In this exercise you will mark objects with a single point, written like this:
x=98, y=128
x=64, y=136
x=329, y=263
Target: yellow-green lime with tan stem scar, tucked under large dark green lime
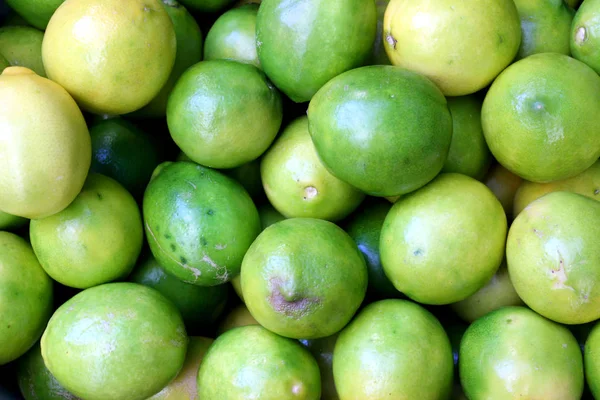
x=296, y=182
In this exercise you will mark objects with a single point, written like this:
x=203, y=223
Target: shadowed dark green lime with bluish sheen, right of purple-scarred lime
x=364, y=226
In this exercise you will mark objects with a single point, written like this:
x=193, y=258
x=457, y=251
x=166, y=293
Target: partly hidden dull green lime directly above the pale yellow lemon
x=22, y=46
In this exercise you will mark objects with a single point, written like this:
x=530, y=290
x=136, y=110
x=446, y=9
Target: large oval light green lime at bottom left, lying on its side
x=116, y=329
